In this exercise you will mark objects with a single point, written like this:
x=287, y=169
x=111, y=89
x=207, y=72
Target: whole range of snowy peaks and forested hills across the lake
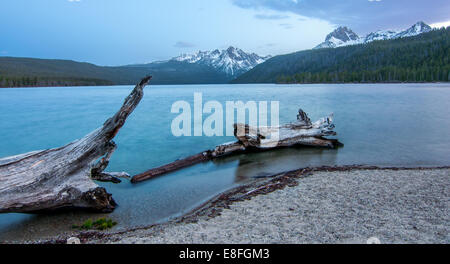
x=383, y=51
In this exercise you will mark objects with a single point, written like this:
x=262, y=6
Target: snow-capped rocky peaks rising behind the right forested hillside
x=344, y=36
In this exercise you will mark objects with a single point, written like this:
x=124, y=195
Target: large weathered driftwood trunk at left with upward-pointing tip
x=63, y=177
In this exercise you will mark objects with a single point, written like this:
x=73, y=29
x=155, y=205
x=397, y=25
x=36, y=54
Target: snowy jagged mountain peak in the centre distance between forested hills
x=232, y=61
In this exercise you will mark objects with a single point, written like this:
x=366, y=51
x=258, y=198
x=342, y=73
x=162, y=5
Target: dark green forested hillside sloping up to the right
x=423, y=58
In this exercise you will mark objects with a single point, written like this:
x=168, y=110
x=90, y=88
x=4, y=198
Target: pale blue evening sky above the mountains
x=118, y=32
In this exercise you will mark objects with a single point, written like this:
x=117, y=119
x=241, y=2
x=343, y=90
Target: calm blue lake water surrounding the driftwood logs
x=380, y=124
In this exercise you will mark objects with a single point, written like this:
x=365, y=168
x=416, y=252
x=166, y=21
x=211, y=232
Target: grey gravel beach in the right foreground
x=395, y=206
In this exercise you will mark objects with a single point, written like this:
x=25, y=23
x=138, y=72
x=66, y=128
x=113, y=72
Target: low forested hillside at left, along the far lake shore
x=28, y=72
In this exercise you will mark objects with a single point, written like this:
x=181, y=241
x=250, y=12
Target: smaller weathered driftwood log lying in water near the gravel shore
x=301, y=132
